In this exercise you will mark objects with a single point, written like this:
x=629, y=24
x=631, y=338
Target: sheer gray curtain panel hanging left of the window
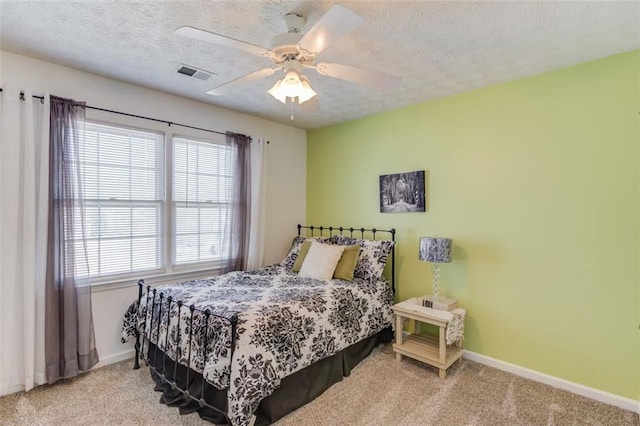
x=69, y=340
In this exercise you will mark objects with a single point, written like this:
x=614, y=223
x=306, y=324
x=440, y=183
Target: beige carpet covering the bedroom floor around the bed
x=379, y=391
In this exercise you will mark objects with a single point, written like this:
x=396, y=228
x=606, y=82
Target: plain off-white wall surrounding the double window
x=286, y=168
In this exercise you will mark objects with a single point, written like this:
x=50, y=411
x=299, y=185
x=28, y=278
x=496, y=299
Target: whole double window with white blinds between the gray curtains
x=153, y=210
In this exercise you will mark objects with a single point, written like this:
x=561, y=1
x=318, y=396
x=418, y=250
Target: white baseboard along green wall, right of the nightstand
x=598, y=395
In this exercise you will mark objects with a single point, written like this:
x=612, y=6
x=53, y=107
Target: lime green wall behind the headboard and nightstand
x=537, y=181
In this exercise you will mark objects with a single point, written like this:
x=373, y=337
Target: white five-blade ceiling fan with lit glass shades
x=293, y=51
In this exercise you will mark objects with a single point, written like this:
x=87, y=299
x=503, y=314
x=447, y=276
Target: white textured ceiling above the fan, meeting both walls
x=437, y=48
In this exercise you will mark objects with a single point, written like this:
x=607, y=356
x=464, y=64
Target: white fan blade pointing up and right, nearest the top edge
x=337, y=22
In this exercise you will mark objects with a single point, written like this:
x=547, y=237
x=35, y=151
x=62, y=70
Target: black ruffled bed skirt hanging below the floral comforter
x=295, y=390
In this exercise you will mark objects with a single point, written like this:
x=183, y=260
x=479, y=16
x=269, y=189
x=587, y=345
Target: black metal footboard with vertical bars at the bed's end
x=153, y=300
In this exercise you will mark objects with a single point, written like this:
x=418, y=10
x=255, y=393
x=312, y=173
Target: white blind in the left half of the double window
x=123, y=188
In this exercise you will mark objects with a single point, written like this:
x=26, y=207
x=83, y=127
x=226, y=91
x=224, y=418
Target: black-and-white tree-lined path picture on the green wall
x=403, y=192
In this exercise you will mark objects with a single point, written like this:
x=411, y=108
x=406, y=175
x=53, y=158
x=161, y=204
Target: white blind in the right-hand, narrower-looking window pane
x=202, y=185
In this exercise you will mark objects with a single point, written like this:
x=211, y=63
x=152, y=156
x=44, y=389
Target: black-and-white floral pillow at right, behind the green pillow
x=373, y=256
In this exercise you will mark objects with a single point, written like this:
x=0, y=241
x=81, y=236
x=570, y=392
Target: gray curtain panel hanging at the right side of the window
x=240, y=216
